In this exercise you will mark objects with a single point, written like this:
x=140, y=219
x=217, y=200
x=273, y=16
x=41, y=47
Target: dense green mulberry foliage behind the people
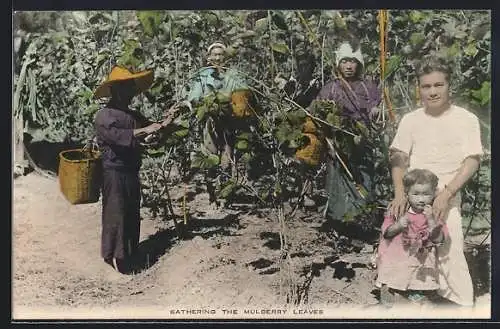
x=66, y=54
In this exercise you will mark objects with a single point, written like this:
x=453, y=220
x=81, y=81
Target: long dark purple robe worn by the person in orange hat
x=121, y=159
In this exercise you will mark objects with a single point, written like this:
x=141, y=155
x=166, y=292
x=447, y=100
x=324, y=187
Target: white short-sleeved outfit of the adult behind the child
x=441, y=144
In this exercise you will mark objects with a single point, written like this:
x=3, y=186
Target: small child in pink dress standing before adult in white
x=407, y=262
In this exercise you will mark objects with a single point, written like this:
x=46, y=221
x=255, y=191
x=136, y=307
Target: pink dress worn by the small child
x=408, y=260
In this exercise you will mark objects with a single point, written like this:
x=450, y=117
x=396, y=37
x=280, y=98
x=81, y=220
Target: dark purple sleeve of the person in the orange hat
x=106, y=129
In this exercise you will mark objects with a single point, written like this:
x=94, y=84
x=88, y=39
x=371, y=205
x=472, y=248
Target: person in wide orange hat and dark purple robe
x=119, y=131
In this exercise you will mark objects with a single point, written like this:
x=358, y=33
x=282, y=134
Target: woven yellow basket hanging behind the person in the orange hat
x=80, y=175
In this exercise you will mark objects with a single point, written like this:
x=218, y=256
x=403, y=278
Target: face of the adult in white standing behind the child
x=434, y=91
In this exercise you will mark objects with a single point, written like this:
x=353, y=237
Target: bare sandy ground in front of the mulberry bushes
x=229, y=261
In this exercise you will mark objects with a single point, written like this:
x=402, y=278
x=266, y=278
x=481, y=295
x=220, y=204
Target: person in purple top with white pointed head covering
x=357, y=99
